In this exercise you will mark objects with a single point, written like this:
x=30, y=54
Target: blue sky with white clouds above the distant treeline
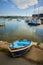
x=20, y=7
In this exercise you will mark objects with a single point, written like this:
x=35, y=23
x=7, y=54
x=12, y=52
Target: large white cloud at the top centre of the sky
x=23, y=4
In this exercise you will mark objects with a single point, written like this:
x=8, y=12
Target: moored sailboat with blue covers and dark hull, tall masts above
x=35, y=21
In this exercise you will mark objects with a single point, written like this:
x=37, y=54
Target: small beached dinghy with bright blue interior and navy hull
x=19, y=47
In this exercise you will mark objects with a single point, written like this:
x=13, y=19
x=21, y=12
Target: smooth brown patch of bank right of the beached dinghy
x=35, y=54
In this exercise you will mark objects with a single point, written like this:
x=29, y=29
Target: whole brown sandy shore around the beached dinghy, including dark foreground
x=35, y=54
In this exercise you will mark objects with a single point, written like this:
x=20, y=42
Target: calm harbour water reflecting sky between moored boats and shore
x=14, y=29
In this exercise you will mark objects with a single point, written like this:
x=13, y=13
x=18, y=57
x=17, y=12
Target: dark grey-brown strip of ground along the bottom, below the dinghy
x=6, y=60
